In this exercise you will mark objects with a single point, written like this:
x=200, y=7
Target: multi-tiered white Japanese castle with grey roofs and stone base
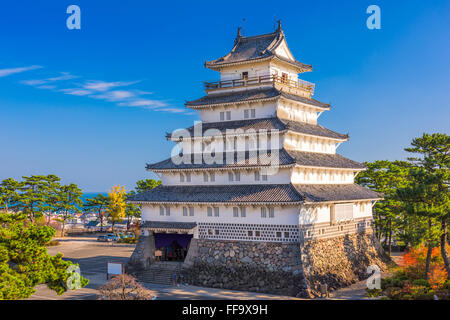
x=255, y=196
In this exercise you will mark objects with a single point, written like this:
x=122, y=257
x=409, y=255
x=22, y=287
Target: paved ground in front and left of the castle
x=92, y=257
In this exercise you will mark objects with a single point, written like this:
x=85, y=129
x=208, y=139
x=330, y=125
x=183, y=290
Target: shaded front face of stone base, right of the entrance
x=244, y=265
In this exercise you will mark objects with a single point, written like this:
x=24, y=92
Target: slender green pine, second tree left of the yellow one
x=68, y=202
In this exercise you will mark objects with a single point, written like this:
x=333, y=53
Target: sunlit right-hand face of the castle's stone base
x=340, y=261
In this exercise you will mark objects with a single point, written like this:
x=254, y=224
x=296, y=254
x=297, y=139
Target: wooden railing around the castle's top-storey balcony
x=252, y=81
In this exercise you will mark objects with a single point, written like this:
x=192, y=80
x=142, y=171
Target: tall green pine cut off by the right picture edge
x=433, y=152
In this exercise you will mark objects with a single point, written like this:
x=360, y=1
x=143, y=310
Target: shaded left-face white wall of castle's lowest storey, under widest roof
x=283, y=215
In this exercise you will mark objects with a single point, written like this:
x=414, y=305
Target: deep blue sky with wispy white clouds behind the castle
x=93, y=105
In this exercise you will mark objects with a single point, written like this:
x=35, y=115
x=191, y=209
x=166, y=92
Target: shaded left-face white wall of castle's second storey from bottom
x=221, y=178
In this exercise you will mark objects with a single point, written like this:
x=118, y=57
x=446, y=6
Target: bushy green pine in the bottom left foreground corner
x=25, y=262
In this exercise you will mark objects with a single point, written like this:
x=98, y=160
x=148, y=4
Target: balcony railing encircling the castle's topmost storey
x=302, y=87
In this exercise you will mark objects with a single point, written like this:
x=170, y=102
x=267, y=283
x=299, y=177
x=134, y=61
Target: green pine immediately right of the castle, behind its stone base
x=385, y=177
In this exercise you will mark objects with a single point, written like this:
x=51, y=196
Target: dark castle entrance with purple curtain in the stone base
x=171, y=246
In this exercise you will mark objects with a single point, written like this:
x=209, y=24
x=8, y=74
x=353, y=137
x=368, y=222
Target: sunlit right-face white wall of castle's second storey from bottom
x=302, y=175
